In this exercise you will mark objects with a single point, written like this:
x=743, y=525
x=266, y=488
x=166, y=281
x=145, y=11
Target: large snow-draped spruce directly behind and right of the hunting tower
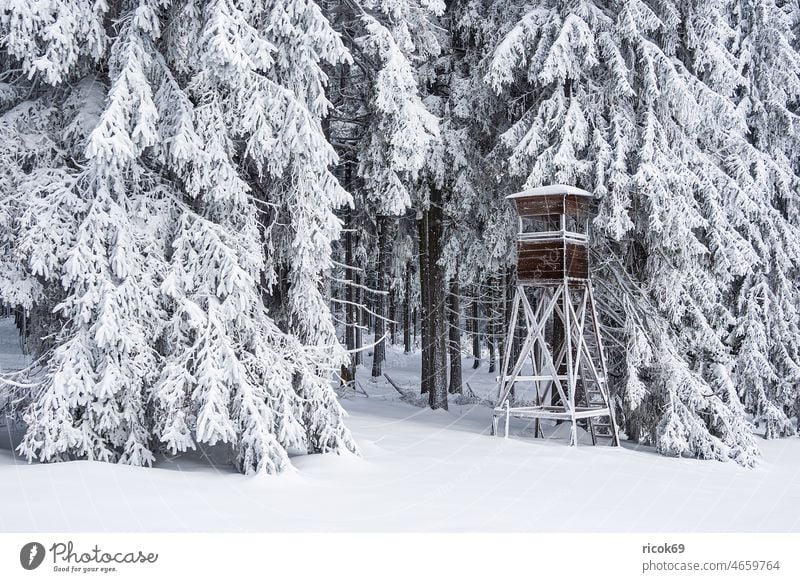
x=613, y=99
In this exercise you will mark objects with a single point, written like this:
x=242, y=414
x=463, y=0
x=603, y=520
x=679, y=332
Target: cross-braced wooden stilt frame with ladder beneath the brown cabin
x=572, y=386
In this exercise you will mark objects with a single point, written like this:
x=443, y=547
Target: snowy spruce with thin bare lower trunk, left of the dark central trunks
x=385, y=121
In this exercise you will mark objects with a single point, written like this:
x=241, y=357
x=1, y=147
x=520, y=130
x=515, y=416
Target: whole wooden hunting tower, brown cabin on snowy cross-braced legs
x=562, y=345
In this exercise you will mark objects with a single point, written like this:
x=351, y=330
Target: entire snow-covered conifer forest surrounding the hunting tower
x=221, y=221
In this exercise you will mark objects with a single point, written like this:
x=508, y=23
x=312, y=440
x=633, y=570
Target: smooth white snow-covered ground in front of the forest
x=420, y=470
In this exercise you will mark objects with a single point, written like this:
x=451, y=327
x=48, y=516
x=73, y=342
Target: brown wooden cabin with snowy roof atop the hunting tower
x=553, y=233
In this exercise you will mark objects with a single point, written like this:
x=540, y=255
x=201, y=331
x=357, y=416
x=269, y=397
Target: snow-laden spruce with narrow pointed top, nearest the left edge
x=92, y=401
